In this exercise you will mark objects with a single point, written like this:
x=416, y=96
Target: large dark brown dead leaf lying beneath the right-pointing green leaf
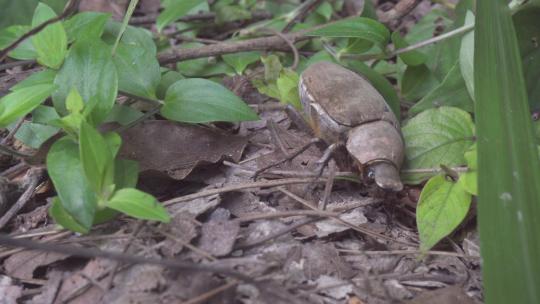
x=176, y=149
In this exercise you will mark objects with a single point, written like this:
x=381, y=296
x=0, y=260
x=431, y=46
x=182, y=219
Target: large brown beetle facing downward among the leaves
x=342, y=107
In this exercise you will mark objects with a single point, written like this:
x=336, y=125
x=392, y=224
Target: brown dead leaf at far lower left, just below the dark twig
x=22, y=265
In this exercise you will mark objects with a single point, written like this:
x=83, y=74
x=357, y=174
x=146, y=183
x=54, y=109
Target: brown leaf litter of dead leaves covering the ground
x=313, y=259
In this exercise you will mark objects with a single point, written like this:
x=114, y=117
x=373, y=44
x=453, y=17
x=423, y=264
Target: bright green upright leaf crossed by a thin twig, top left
x=51, y=43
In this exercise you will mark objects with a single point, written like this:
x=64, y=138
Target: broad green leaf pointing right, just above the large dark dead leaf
x=199, y=100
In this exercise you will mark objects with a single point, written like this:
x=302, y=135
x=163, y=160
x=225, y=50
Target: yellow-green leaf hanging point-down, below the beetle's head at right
x=442, y=207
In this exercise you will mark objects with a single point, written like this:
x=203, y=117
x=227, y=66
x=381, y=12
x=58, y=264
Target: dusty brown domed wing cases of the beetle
x=347, y=97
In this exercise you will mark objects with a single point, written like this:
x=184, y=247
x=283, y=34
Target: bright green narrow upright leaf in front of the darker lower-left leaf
x=96, y=159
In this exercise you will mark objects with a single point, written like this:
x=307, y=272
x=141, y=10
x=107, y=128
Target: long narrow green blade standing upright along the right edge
x=508, y=164
